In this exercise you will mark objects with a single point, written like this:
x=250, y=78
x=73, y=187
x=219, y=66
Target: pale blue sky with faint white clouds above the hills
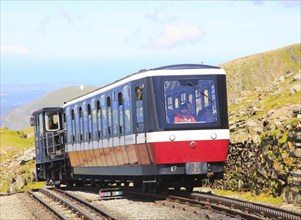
x=98, y=42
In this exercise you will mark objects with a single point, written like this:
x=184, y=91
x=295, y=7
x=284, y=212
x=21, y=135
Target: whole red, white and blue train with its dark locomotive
x=125, y=132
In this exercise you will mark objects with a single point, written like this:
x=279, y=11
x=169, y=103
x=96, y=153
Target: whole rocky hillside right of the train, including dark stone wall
x=265, y=124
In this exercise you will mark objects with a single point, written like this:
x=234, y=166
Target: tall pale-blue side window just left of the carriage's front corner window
x=127, y=110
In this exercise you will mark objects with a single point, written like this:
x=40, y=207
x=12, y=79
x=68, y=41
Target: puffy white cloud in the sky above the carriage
x=176, y=34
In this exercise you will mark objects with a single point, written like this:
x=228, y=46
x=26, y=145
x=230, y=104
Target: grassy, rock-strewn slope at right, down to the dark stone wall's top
x=262, y=88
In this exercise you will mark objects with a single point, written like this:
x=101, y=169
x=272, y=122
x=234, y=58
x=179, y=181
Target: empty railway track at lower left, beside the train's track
x=67, y=206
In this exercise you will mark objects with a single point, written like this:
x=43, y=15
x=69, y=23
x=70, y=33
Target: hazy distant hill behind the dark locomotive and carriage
x=19, y=118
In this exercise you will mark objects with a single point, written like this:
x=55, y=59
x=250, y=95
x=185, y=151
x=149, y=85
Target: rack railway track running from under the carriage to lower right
x=229, y=207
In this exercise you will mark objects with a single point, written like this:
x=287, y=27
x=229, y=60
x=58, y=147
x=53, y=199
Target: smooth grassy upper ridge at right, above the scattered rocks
x=262, y=70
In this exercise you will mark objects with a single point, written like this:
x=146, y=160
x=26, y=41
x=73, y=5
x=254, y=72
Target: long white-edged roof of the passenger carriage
x=152, y=72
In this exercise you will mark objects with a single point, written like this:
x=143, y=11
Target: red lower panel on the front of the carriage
x=189, y=151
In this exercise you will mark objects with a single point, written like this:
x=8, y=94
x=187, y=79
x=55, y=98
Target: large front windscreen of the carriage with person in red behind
x=190, y=101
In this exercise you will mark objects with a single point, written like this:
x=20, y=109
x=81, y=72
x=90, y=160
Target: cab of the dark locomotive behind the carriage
x=49, y=133
